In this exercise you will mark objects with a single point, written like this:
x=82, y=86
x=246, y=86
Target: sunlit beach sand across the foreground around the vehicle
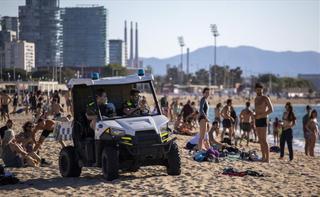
x=301, y=177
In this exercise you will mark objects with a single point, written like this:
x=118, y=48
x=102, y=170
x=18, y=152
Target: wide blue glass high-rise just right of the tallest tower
x=84, y=36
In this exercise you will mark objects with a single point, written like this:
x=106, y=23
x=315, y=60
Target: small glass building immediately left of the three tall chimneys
x=117, y=52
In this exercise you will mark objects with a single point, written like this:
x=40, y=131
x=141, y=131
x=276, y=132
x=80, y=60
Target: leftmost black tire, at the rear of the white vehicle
x=69, y=162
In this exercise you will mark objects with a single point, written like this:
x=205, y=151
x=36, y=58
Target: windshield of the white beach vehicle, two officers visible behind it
x=126, y=100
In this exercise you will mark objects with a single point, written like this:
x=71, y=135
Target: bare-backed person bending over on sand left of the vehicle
x=47, y=127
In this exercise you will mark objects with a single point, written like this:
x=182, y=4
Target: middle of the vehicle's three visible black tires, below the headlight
x=110, y=163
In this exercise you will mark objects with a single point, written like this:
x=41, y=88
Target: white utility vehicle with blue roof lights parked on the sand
x=118, y=142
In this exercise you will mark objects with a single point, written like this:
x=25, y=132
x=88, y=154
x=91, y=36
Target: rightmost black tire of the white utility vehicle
x=174, y=160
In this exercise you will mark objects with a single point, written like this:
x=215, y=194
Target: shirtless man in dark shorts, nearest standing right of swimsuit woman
x=227, y=119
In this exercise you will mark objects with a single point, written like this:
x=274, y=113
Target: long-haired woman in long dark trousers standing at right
x=289, y=121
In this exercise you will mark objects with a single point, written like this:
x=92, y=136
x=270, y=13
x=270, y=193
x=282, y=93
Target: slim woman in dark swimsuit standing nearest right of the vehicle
x=203, y=117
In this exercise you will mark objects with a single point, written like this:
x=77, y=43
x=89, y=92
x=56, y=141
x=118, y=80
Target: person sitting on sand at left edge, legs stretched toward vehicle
x=13, y=154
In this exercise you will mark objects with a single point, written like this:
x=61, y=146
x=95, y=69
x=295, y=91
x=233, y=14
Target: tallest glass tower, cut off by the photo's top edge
x=40, y=23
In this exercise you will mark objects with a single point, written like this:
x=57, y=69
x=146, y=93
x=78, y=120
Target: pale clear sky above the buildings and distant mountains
x=277, y=25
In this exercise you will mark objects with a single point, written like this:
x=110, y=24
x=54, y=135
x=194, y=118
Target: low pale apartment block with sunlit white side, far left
x=19, y=54
